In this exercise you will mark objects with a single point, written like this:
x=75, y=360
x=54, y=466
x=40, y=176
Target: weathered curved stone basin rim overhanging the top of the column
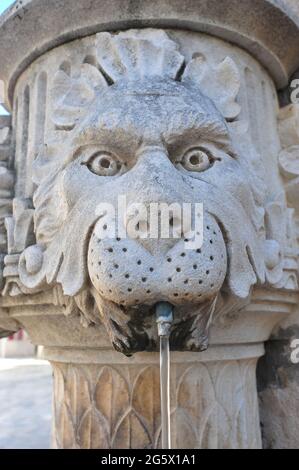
x=268, y=29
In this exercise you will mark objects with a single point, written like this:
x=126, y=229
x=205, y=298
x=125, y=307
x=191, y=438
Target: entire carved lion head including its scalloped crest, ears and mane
x=141, y=121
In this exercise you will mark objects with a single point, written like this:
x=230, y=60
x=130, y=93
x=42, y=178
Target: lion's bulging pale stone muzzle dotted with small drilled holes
x=126, y=273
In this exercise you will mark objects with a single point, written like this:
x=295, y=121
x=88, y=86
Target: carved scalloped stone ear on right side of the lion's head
x=221, y=83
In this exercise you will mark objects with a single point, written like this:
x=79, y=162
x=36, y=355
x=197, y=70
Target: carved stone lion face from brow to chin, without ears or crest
x=152, y=140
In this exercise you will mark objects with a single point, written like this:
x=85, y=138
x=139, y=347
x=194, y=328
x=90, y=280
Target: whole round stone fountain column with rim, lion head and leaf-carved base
x=180, y=109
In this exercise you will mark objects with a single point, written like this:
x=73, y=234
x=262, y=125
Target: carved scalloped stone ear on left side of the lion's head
x=71, y=96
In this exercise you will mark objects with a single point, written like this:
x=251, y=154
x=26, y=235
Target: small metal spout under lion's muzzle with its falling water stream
x=164, y=318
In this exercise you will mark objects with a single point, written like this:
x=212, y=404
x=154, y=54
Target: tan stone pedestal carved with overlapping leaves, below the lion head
x=213, y=399
